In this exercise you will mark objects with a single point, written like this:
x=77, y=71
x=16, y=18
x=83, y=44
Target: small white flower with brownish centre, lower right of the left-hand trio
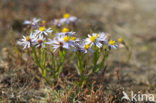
x=40, y=41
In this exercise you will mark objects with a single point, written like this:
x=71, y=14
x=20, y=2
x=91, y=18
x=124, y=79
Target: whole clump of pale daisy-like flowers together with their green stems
x=42, y=36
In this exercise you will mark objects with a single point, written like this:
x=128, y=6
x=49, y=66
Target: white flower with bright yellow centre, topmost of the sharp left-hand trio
x=43, y=31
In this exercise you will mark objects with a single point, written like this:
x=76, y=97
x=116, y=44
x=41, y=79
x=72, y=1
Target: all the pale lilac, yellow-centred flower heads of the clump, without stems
x=65, y=39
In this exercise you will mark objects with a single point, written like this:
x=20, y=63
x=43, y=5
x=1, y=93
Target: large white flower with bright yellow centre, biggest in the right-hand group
x=94, y=40
